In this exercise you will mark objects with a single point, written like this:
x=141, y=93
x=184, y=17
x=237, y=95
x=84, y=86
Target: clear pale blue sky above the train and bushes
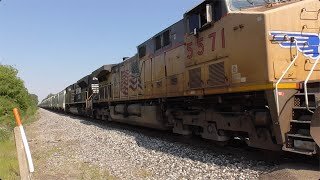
x=54, y=43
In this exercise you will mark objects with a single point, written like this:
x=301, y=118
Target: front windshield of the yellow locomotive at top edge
x=243, y=4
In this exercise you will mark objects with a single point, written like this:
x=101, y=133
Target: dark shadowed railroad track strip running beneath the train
x=234, y=147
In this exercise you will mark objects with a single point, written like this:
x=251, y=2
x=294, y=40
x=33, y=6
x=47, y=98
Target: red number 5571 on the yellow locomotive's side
x=198, y=46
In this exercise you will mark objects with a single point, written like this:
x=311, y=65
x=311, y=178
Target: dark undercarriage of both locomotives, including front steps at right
x=251, y=117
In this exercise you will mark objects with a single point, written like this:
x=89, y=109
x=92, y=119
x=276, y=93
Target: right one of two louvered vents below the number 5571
x=217, y=75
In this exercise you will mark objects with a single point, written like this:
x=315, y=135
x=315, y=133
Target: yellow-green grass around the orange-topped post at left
x=9, y=167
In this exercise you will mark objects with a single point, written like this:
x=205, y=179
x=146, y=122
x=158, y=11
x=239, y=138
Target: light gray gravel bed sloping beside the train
x=69, y=148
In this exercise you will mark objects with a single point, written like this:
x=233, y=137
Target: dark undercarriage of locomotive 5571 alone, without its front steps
x=244, y=116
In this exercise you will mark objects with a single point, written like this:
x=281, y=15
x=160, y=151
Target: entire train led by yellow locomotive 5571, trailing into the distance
x=245, y=69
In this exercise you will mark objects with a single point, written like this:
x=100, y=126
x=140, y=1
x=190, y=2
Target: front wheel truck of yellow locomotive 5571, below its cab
x=226, y=117
